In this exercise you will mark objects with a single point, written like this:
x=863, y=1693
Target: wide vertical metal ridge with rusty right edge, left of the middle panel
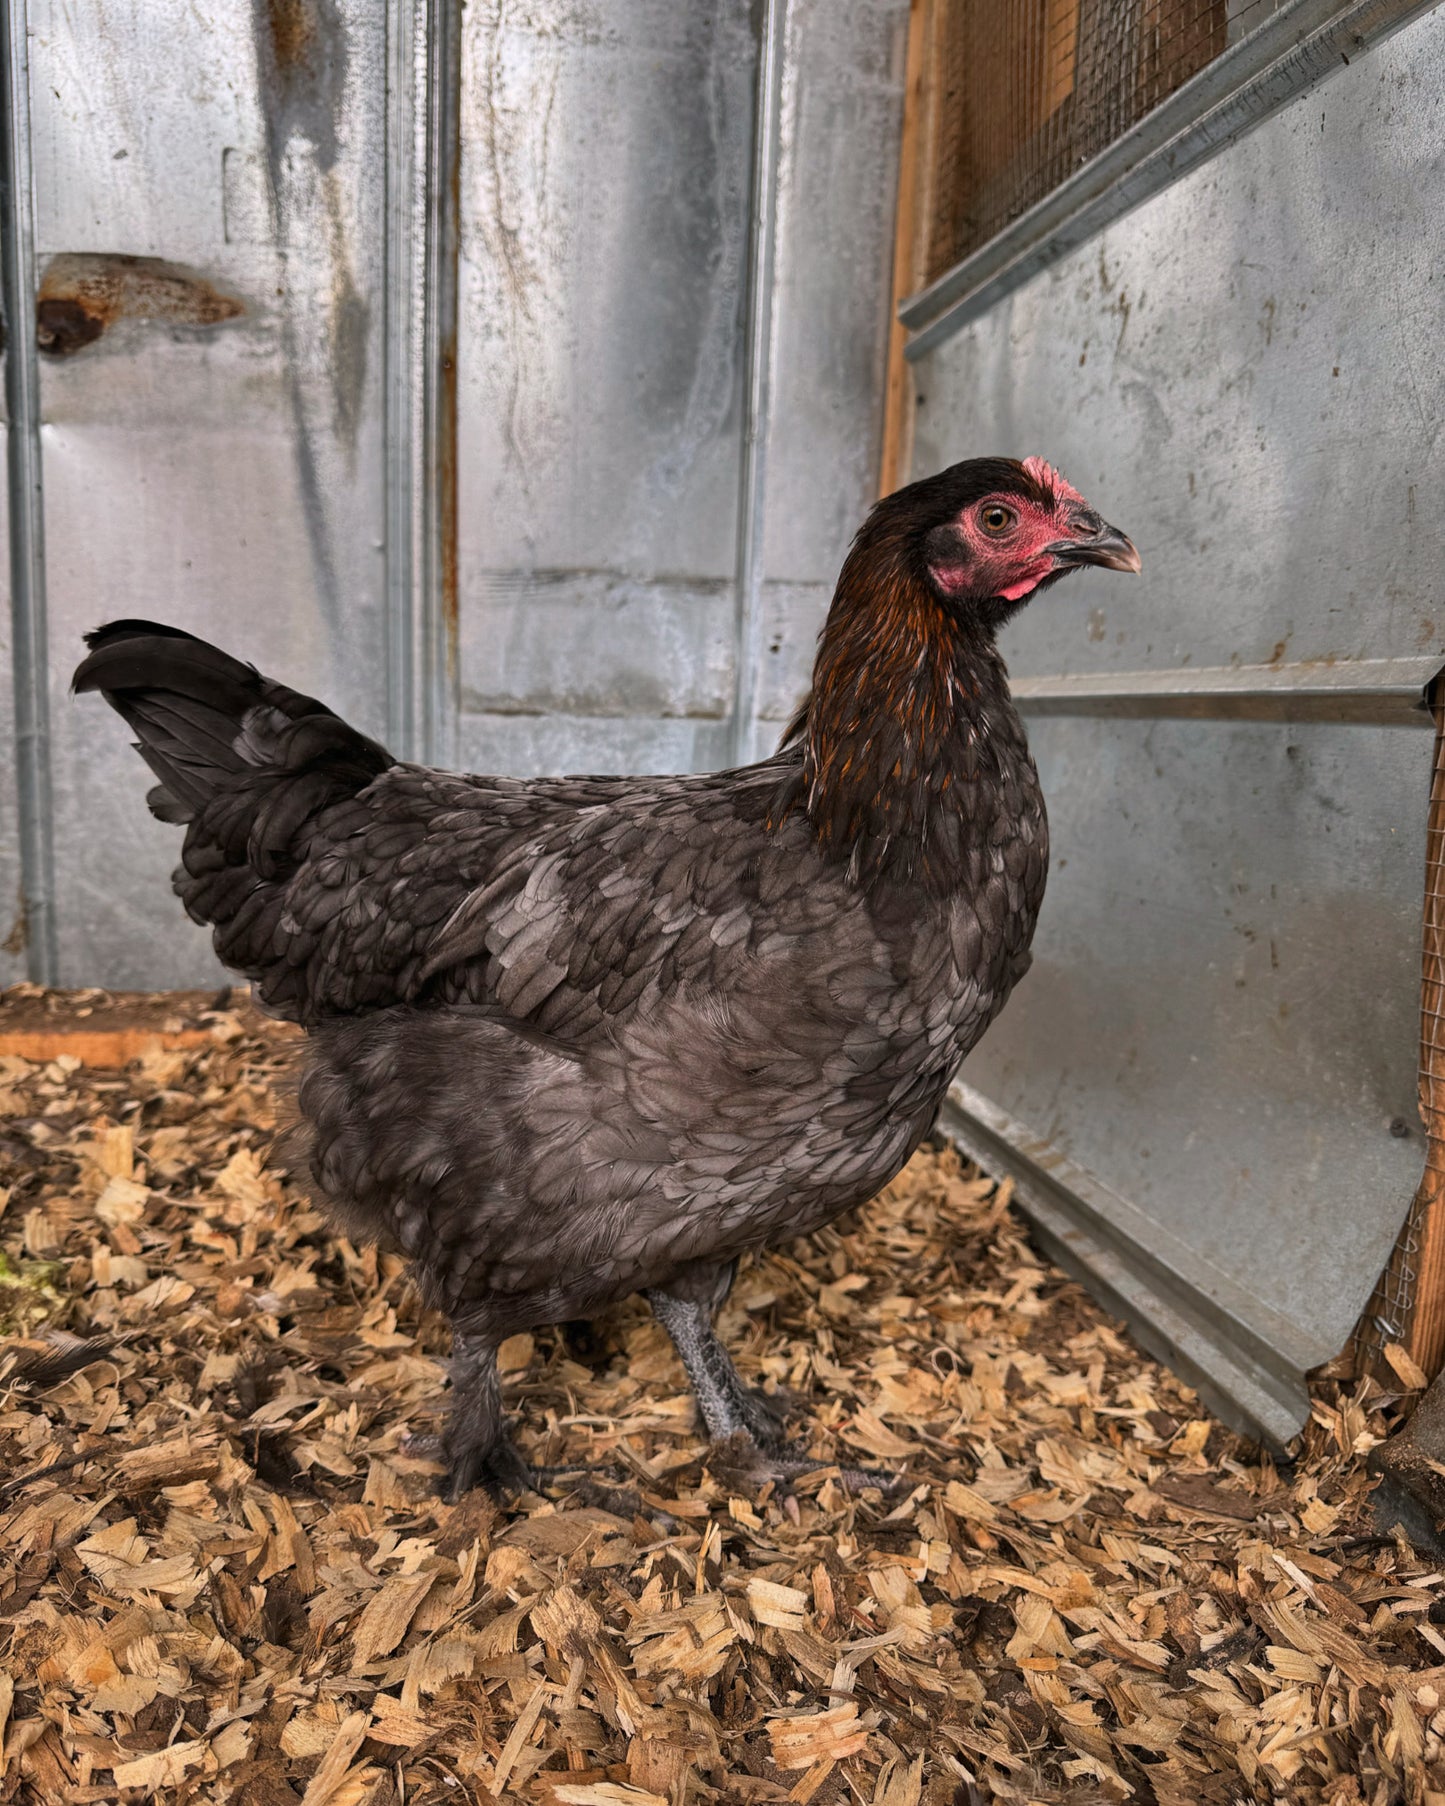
x=424, y=156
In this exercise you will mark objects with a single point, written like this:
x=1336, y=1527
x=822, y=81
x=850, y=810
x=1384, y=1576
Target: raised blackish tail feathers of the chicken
x=245, y=763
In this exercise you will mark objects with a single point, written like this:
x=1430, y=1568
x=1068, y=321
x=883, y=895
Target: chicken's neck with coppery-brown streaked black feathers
x=909, y=736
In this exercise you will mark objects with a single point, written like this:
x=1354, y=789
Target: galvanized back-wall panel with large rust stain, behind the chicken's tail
x=223, y=474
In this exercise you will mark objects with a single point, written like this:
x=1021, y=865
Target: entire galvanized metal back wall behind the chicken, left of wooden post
x=528, y=526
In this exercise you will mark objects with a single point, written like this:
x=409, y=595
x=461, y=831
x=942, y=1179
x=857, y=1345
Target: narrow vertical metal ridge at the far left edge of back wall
x=26, y=507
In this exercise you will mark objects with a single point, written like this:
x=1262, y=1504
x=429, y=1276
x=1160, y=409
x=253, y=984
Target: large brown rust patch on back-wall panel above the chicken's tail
x=84, y=293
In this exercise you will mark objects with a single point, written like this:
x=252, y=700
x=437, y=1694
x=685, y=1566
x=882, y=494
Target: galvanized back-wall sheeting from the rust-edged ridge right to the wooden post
x=606, y=176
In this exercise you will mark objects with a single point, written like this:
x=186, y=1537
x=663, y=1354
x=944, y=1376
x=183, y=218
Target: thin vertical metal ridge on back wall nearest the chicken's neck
x=758, y=358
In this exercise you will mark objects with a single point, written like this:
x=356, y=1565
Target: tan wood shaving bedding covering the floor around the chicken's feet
x=225, y=1576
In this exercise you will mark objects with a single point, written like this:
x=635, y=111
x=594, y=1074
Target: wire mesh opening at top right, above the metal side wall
x=1029, y=91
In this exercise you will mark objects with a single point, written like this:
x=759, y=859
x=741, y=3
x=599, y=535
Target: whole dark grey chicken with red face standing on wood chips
x=581, y=1038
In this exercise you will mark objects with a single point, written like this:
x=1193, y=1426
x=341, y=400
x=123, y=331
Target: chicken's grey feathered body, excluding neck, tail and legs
x=691, y=1038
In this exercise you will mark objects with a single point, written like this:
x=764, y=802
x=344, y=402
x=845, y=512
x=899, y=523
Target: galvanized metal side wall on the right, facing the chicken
x=1224, y=1019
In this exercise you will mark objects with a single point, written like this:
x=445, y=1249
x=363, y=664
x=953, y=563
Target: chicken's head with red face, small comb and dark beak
x=993, y=532
